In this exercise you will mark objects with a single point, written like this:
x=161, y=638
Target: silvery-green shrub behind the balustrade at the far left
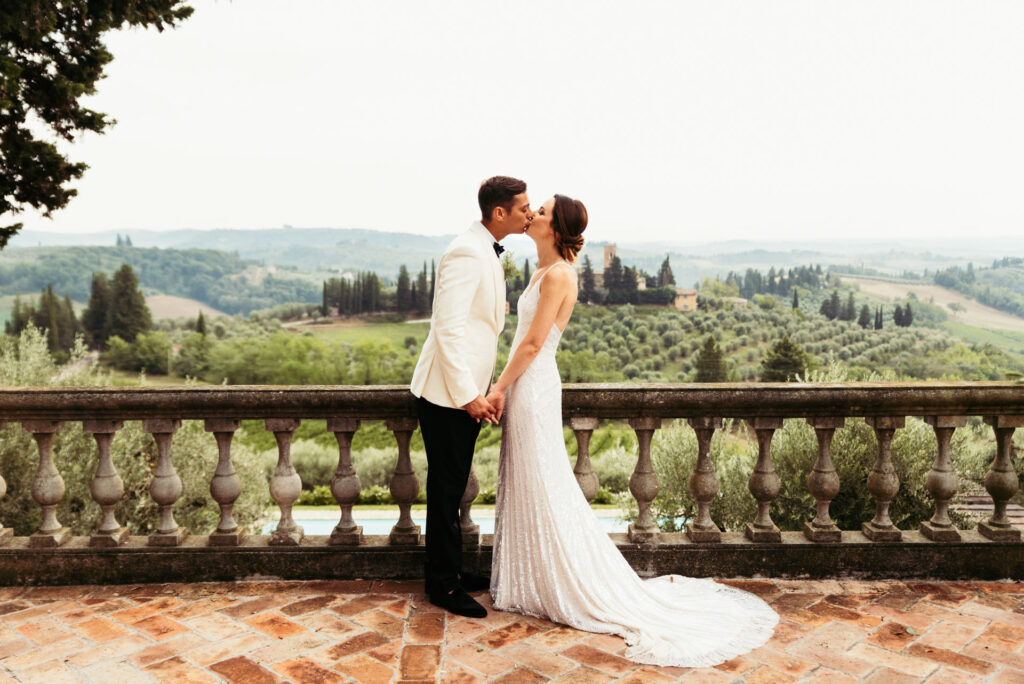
x=26, y=362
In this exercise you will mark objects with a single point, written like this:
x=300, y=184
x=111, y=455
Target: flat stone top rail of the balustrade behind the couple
x=601, y=401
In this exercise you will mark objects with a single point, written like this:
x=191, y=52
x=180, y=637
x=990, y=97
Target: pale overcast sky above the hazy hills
x=671, y=120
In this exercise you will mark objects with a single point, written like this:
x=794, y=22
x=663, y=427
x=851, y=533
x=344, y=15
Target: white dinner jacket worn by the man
x=457, y=363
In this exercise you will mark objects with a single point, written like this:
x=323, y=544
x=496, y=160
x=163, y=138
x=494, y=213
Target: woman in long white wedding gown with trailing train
x=551, y=558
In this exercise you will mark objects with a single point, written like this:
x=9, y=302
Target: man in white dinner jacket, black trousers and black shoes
x=453, y=377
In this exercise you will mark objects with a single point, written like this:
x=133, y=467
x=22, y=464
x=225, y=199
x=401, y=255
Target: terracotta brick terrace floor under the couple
x=324, y=632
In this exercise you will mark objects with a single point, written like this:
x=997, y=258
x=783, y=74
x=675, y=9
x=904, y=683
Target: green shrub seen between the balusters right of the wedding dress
x=734, y=453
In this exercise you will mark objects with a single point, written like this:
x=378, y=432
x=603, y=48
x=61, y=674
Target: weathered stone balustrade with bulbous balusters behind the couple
x=937, y=549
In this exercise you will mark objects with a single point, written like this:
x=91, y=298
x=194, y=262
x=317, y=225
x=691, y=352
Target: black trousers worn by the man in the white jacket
x=450, y=439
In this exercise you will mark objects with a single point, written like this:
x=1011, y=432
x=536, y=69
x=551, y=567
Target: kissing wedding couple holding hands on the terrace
x=551, y=559
